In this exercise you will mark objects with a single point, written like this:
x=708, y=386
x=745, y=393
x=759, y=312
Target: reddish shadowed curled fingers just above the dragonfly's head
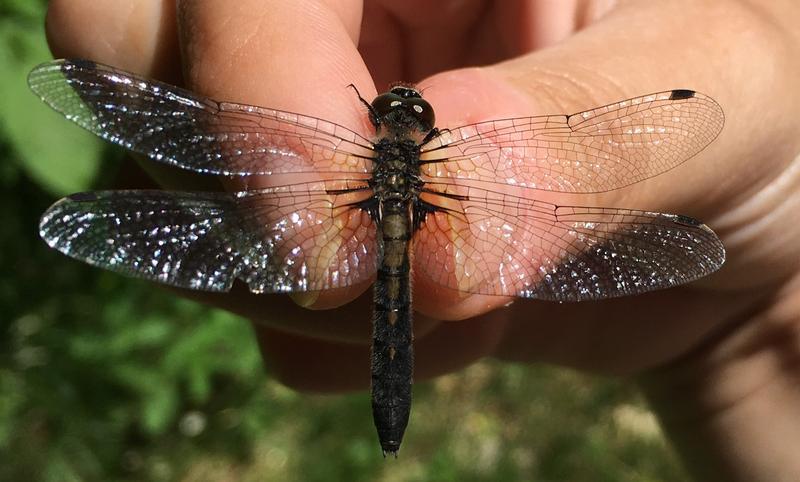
x=410, y=40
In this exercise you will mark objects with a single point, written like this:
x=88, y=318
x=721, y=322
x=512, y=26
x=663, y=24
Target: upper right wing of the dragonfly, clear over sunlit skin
x=594, y=151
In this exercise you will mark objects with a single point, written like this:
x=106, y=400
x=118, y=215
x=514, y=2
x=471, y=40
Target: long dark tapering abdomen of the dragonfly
x=392, y=351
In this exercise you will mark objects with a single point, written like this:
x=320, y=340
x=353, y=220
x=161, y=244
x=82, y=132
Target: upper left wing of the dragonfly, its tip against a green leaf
x=177, y=127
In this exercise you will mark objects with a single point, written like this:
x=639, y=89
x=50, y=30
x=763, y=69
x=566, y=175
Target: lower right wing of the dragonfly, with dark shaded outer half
x=500, y=244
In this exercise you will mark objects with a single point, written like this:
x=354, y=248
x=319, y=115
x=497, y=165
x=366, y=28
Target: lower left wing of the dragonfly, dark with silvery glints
x=277, y=240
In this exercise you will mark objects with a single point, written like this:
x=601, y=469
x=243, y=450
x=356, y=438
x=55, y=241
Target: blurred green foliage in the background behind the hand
x=104, y=378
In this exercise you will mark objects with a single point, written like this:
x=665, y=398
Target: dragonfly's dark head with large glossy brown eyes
x=401, y=112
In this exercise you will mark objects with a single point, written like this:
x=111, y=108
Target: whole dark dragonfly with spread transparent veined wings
x=320, y=206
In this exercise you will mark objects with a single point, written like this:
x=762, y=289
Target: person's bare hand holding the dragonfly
x=719, y=359
